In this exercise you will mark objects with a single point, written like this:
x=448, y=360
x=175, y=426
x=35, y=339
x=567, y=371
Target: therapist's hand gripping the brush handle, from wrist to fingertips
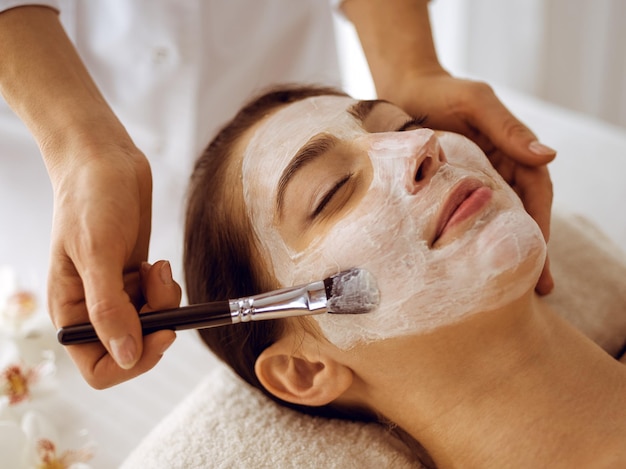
x=100, y=235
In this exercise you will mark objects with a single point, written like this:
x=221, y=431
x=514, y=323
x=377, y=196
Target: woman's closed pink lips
x=467, y=198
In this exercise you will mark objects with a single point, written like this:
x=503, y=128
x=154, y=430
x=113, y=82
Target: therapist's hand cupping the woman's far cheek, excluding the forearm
x=472, y=109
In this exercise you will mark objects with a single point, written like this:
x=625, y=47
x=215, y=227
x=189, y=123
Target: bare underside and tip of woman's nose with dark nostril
x=425, y=160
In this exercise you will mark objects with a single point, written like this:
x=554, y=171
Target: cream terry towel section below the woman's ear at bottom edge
x=225, y=423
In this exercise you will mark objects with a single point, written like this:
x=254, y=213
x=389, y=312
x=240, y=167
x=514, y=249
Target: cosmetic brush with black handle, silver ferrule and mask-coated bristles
x=352, y=291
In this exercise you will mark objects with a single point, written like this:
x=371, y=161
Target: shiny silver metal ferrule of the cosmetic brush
x=288, y=302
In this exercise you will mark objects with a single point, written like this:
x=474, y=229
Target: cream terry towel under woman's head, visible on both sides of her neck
x=225, y=423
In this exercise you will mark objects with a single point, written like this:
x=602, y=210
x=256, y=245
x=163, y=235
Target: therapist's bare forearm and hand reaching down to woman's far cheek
x=399, y=47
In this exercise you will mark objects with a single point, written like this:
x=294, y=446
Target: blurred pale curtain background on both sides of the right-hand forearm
x=568, y=52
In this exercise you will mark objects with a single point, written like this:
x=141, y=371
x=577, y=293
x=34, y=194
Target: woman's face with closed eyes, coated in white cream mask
x=331, y=183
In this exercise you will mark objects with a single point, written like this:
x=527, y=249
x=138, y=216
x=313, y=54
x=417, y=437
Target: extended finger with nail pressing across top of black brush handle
x=111, y=311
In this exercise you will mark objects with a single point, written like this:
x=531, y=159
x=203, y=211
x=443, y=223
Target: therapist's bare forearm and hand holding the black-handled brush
x=102, y=187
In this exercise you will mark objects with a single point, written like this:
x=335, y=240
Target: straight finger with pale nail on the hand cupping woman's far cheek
x=510, y=135
